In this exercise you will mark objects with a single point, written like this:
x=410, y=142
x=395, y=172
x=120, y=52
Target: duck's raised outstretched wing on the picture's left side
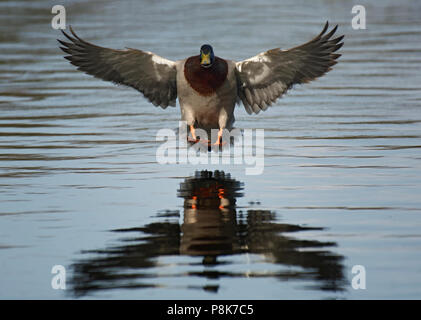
x=152, y=75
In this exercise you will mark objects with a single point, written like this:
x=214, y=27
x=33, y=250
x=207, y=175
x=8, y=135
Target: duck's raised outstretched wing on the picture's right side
x=265, y=77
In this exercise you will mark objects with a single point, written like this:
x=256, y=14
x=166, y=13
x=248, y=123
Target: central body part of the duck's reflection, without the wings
x=209, y=215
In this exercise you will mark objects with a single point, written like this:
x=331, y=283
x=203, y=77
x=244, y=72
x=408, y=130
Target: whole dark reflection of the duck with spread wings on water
x=211, y=228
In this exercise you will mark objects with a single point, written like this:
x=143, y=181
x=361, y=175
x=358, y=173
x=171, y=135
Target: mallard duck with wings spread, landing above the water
x=208, y=87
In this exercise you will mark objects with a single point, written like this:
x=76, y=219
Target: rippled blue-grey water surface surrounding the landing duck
x=80, y=185
